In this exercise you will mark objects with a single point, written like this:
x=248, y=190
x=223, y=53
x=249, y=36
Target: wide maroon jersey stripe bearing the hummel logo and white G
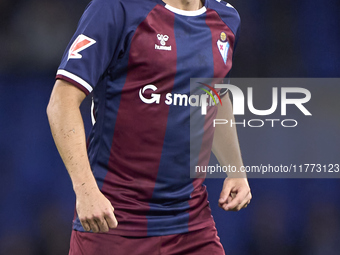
x=140, y=128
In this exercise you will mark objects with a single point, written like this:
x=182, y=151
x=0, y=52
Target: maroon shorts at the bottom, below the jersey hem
x=200, y=242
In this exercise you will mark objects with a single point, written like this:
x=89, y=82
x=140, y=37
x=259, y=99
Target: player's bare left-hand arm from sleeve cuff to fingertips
x=94, y=209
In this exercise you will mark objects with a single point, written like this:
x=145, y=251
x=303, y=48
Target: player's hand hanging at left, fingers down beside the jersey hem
x=94, y=210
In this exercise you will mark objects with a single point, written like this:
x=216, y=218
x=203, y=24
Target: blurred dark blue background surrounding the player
x=278, y=39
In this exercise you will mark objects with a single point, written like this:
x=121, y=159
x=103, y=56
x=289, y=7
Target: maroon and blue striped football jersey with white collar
x=137, y=58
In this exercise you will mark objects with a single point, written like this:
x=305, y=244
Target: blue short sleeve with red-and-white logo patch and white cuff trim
x=93, y=45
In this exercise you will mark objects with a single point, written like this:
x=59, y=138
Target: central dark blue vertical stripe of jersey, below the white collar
x=170, y=190
